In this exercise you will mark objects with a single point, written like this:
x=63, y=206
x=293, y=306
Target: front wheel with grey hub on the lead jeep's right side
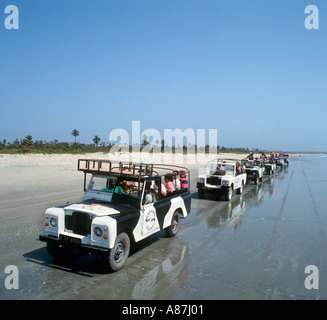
x=116, y=257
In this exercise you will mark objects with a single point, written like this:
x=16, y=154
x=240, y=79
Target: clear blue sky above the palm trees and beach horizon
x=249, y=69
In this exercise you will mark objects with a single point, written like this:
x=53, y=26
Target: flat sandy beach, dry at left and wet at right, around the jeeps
x=255, y=247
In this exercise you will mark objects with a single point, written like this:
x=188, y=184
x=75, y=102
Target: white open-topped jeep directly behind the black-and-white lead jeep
x=221, y=176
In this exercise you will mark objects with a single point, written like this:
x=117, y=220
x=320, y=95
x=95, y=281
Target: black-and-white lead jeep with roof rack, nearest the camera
x=122, y=204
